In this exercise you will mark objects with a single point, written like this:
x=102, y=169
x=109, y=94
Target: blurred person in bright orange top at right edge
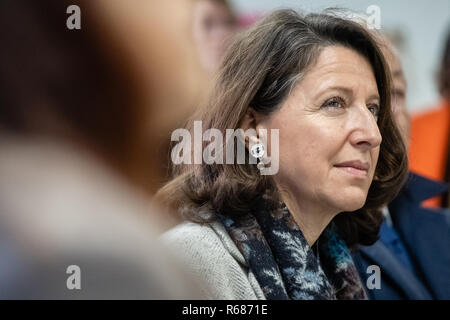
x=430, y=131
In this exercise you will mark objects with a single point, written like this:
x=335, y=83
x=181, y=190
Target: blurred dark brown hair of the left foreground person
x=63, y=83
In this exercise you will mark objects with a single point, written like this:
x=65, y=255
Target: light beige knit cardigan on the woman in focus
x=211, y=256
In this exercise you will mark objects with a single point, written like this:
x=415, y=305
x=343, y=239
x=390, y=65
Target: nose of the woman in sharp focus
x=365, y=132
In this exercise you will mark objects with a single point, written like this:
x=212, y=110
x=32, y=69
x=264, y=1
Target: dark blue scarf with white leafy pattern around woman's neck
x=286, y=266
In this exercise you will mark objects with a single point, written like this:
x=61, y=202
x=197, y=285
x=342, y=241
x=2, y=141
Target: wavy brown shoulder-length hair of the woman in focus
x=259, y=70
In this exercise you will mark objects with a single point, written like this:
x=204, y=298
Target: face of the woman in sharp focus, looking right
x=329, y=138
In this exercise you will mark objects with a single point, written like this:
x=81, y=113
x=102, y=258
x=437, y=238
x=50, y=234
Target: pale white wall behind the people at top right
x=424, y=23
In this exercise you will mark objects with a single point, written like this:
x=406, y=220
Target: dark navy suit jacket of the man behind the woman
x=426, y=235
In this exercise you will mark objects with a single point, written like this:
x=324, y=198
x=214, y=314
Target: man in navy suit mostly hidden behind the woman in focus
x=413, y=251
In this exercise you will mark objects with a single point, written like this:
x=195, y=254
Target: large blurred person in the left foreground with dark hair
x=82, y=116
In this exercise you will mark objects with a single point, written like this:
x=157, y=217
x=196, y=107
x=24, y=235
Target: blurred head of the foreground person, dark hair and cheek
x=117, y=86
